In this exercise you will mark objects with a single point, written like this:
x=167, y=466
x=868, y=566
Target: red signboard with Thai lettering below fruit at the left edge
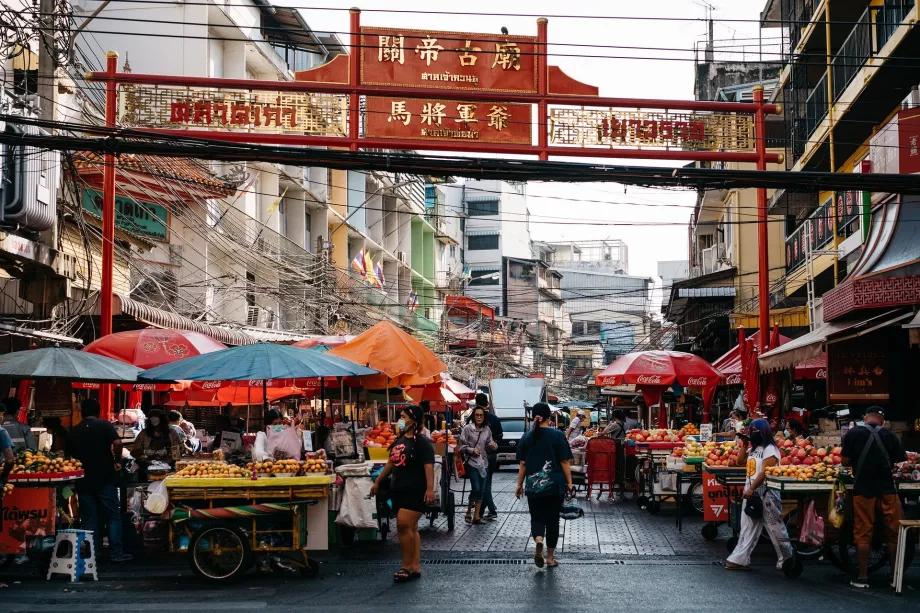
x=28, y=512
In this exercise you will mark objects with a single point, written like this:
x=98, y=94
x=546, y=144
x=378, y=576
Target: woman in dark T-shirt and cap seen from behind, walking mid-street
x=544, y=476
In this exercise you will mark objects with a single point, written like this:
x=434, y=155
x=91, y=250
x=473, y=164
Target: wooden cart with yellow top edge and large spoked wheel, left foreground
x=222, y=521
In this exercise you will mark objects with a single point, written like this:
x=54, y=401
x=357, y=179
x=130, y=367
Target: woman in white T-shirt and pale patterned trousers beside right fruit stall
x=763, y=454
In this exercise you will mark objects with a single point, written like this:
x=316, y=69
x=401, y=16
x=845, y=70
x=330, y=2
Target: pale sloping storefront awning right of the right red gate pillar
x=811, y=346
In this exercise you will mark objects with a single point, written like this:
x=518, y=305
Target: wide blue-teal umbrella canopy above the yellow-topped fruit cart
x=259, y=361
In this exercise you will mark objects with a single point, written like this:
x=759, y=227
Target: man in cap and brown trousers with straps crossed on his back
x=871, y=451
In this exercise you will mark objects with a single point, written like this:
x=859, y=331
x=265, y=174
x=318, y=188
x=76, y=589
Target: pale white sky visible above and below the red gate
x=584, y=211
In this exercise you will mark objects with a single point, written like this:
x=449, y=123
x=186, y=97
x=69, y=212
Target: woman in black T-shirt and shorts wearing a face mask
x=411, y=471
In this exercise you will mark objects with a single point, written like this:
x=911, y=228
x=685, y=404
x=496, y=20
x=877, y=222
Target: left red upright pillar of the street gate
x=108, y=223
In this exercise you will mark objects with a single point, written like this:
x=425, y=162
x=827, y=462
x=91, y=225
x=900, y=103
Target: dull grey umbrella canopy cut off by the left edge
x=62, y=363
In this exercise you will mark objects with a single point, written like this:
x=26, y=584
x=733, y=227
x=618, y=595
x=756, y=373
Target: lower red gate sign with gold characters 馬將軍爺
x=446, y=120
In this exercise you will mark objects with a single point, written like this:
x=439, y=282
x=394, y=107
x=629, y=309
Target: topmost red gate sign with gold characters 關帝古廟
x=448, y=60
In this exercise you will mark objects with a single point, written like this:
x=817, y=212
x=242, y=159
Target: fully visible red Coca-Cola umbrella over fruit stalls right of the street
x=652, y=372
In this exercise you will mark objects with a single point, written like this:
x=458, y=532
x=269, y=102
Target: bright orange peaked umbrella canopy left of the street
x=400, y=359
